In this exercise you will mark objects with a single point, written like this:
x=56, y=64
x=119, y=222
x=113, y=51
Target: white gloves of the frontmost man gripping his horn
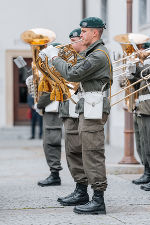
x=50, y=52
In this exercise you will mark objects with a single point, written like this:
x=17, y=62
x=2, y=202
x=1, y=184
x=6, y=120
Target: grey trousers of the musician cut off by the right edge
x=146, y=135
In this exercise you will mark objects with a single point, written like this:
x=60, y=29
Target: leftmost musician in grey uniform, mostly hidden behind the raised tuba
x=52, y=134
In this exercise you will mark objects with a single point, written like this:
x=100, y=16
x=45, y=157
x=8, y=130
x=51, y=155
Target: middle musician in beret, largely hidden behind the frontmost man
x=73, y=146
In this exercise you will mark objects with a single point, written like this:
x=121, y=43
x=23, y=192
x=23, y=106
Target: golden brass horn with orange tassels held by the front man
x=61, y=89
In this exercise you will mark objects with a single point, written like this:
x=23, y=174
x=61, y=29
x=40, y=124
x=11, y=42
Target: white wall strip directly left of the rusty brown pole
x=116, y=26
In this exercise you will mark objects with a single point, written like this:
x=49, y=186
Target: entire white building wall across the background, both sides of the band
x=62, y=16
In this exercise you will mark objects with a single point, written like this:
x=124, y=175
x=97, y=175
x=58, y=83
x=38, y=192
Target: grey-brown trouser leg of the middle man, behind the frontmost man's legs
x=73, y=150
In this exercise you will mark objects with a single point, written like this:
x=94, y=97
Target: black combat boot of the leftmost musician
x=52, y=180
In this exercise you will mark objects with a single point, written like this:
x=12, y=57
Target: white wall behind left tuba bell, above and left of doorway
x=16, y=16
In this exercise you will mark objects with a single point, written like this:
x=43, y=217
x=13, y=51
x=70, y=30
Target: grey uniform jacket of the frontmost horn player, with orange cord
x=93, y=72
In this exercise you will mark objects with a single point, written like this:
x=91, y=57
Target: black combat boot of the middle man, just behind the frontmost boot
x=78, y=197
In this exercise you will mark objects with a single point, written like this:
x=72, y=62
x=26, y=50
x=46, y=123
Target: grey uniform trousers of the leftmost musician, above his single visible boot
x=52, y=134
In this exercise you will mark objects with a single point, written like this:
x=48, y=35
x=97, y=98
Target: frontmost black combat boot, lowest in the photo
x=95, y=206
